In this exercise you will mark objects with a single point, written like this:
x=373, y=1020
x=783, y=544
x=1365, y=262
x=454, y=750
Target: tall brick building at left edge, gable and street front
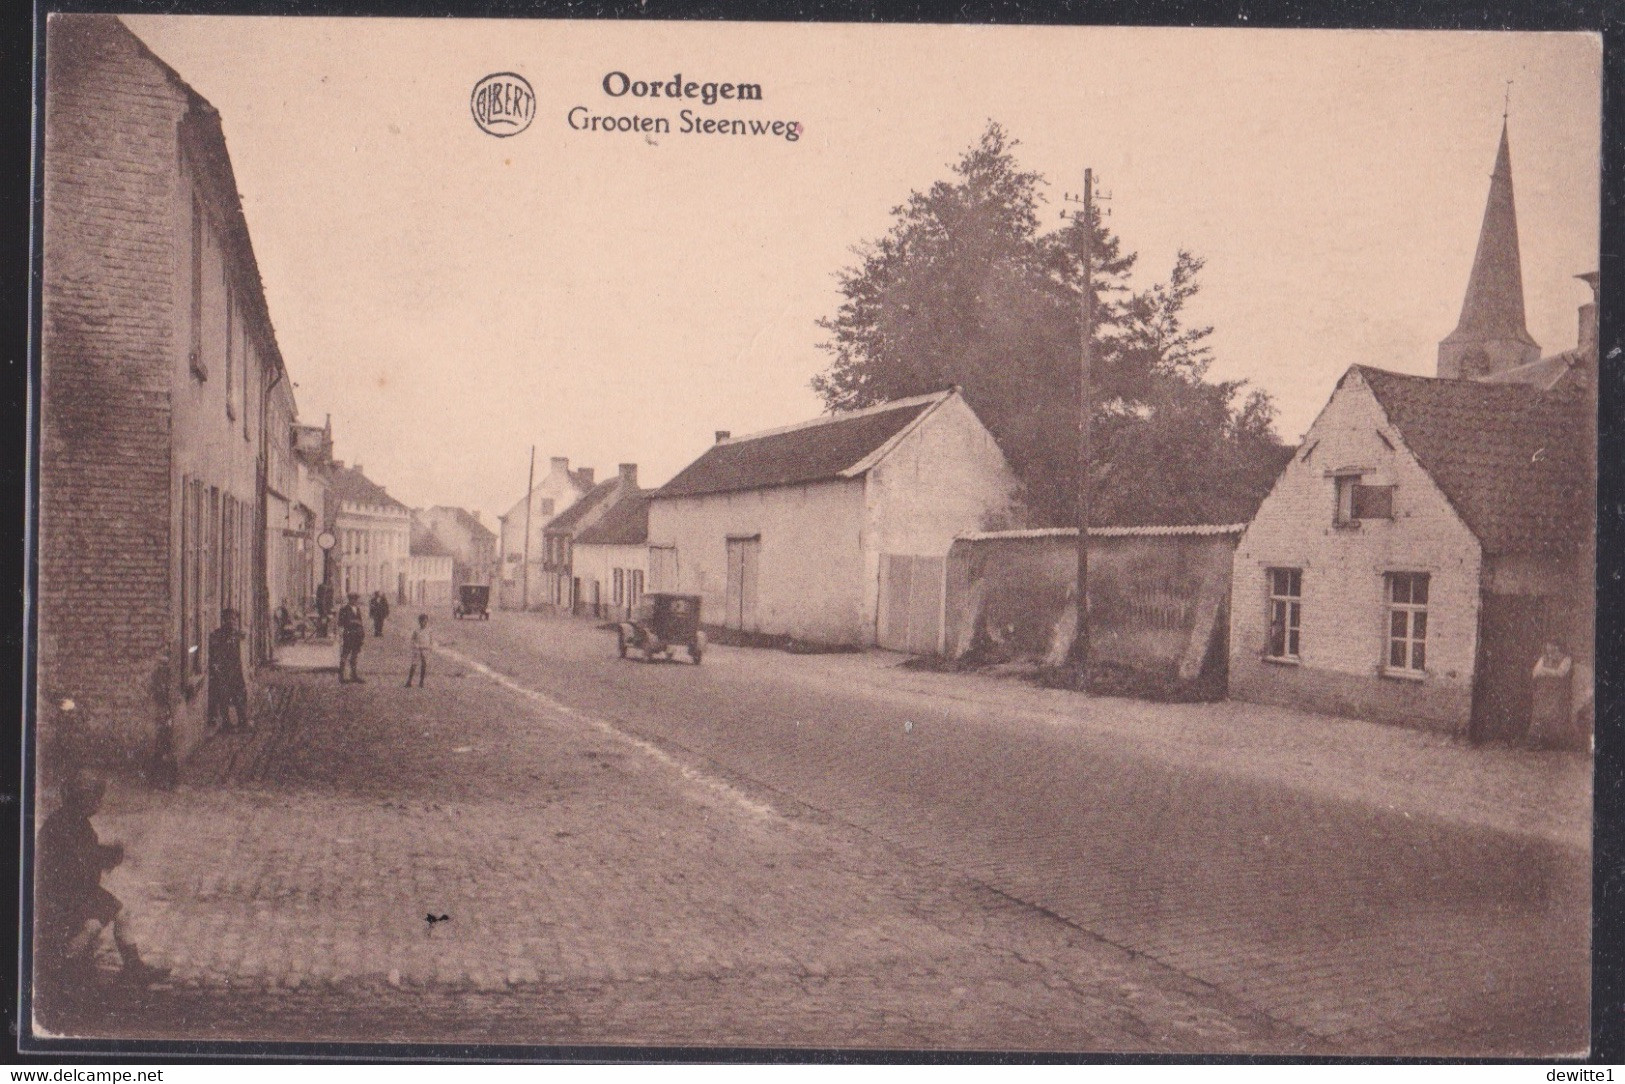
x=158, y=365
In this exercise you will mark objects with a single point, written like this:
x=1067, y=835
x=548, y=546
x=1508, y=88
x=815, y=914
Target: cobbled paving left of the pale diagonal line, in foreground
x=597, y=888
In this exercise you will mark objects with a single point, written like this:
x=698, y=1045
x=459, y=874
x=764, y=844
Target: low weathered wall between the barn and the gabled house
x=1158, y=597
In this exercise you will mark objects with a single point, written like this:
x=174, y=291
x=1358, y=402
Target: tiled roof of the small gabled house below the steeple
x=1509, y=457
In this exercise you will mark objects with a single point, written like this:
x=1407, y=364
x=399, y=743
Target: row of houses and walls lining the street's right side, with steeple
x=1416, y=552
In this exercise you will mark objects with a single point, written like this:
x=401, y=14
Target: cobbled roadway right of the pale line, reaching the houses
x=1372, y=888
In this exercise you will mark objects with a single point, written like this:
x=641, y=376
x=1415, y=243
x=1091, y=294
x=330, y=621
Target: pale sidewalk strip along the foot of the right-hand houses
x=1517, y=792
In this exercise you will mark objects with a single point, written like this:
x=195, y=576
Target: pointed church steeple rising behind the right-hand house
x=1491, y=336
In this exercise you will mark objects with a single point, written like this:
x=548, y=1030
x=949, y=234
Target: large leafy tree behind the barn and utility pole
x=968, y=290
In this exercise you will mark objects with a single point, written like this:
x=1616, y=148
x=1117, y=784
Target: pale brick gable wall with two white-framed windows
x=1345, y=615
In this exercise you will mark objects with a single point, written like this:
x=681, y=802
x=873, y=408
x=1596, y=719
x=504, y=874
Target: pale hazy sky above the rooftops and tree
x=453, y=298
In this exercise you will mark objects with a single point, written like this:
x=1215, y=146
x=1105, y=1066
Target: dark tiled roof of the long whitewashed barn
x=818, y=451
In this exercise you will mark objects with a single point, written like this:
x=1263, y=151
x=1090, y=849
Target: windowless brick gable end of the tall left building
x=106, y=415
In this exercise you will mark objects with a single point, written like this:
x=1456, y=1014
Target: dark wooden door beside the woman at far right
x=1512, y=630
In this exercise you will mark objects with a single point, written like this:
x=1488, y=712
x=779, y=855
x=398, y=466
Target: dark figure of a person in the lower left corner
x=74, y=906
